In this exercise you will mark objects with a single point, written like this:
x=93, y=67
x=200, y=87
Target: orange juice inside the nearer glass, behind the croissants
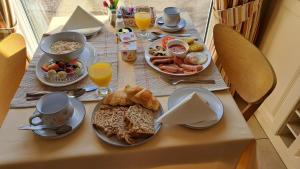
x=101, y=74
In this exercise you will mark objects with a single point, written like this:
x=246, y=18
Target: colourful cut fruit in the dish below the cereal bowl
x=61, y=70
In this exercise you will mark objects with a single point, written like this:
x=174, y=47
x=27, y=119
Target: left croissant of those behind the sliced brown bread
x=117, y=98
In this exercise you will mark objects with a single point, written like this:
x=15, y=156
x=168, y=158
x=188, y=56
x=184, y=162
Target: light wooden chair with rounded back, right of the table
x=246, y=70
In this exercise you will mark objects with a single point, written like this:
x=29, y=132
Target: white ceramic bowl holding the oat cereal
x=46, y=43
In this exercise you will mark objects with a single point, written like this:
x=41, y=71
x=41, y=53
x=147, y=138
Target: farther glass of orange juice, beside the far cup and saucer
x=143, y=21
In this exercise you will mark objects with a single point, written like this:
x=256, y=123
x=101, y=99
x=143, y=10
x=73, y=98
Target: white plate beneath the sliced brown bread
x=116, y=142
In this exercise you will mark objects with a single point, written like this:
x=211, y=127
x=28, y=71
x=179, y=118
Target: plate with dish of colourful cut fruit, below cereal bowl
x=60, y=73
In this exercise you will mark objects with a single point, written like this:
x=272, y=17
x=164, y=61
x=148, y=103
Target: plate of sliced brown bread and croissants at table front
x=127, y=117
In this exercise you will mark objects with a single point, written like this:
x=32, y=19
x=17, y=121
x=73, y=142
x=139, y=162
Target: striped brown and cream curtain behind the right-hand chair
x=242, y=15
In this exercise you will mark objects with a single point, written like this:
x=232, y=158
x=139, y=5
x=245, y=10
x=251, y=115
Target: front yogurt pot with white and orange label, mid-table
x=128, y=51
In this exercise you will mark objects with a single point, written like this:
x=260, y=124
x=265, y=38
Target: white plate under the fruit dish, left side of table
x=86, y=57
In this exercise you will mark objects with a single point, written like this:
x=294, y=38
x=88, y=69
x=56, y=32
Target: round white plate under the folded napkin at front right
x=214, y=103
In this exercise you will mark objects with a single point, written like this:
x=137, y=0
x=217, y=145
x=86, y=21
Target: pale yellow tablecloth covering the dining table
x=218, y=147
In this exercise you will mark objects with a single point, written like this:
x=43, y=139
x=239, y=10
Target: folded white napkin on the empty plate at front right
x=190, y=110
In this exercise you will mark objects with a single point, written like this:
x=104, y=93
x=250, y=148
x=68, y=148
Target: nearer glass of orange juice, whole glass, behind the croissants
x=101, y=74
